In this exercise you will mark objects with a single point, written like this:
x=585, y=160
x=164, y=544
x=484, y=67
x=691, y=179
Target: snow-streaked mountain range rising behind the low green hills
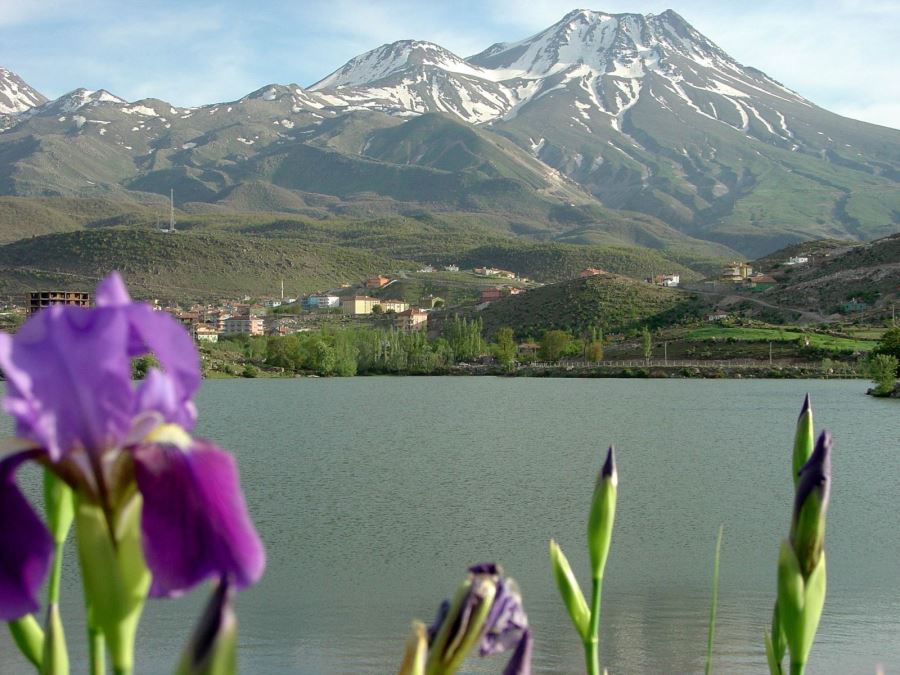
x=641, y=113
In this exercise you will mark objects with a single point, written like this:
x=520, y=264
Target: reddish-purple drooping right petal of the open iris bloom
x=194, y=519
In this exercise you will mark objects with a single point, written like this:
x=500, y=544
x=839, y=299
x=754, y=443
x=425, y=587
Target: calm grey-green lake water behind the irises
x=373, y=495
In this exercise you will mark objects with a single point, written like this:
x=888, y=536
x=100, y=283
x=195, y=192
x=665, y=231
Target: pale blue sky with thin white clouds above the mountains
x=840, y=54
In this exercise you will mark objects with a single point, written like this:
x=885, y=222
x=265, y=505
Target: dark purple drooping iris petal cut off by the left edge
x=25, y=545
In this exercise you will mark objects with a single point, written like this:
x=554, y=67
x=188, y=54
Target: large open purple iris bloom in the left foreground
x=69, y=389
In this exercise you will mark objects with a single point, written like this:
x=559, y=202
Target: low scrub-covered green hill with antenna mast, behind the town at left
x=183, y=265
